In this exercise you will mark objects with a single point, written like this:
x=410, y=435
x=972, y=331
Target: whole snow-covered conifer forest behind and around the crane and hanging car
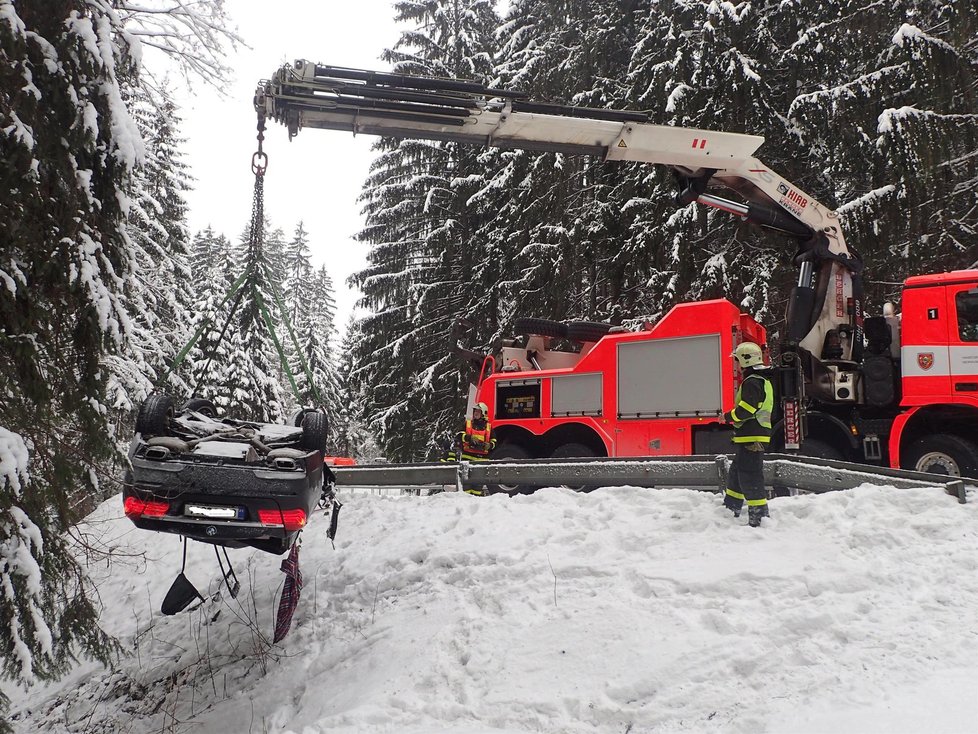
x=870, y=106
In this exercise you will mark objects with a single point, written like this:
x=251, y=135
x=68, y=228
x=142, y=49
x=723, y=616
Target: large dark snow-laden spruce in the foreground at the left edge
x=68, y=148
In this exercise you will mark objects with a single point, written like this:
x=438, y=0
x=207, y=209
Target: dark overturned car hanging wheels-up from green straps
x=227, y=482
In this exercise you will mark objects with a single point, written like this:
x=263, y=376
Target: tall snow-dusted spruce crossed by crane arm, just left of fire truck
x=420, y=228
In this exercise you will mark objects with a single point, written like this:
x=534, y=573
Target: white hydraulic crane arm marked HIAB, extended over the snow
x=309, y=95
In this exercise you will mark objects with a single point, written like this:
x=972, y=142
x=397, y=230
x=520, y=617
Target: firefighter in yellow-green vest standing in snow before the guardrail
x=751, y=419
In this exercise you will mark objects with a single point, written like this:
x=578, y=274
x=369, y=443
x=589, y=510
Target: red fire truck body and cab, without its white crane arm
x=913, y=402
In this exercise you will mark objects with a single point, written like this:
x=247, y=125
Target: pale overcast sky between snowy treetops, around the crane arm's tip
x=317, y=176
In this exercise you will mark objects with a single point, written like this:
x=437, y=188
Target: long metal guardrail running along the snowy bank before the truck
x=703, y=472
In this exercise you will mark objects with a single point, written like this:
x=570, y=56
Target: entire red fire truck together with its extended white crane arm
x=897, y=389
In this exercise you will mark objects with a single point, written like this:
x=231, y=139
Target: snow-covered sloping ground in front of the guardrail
x=623, y=610
